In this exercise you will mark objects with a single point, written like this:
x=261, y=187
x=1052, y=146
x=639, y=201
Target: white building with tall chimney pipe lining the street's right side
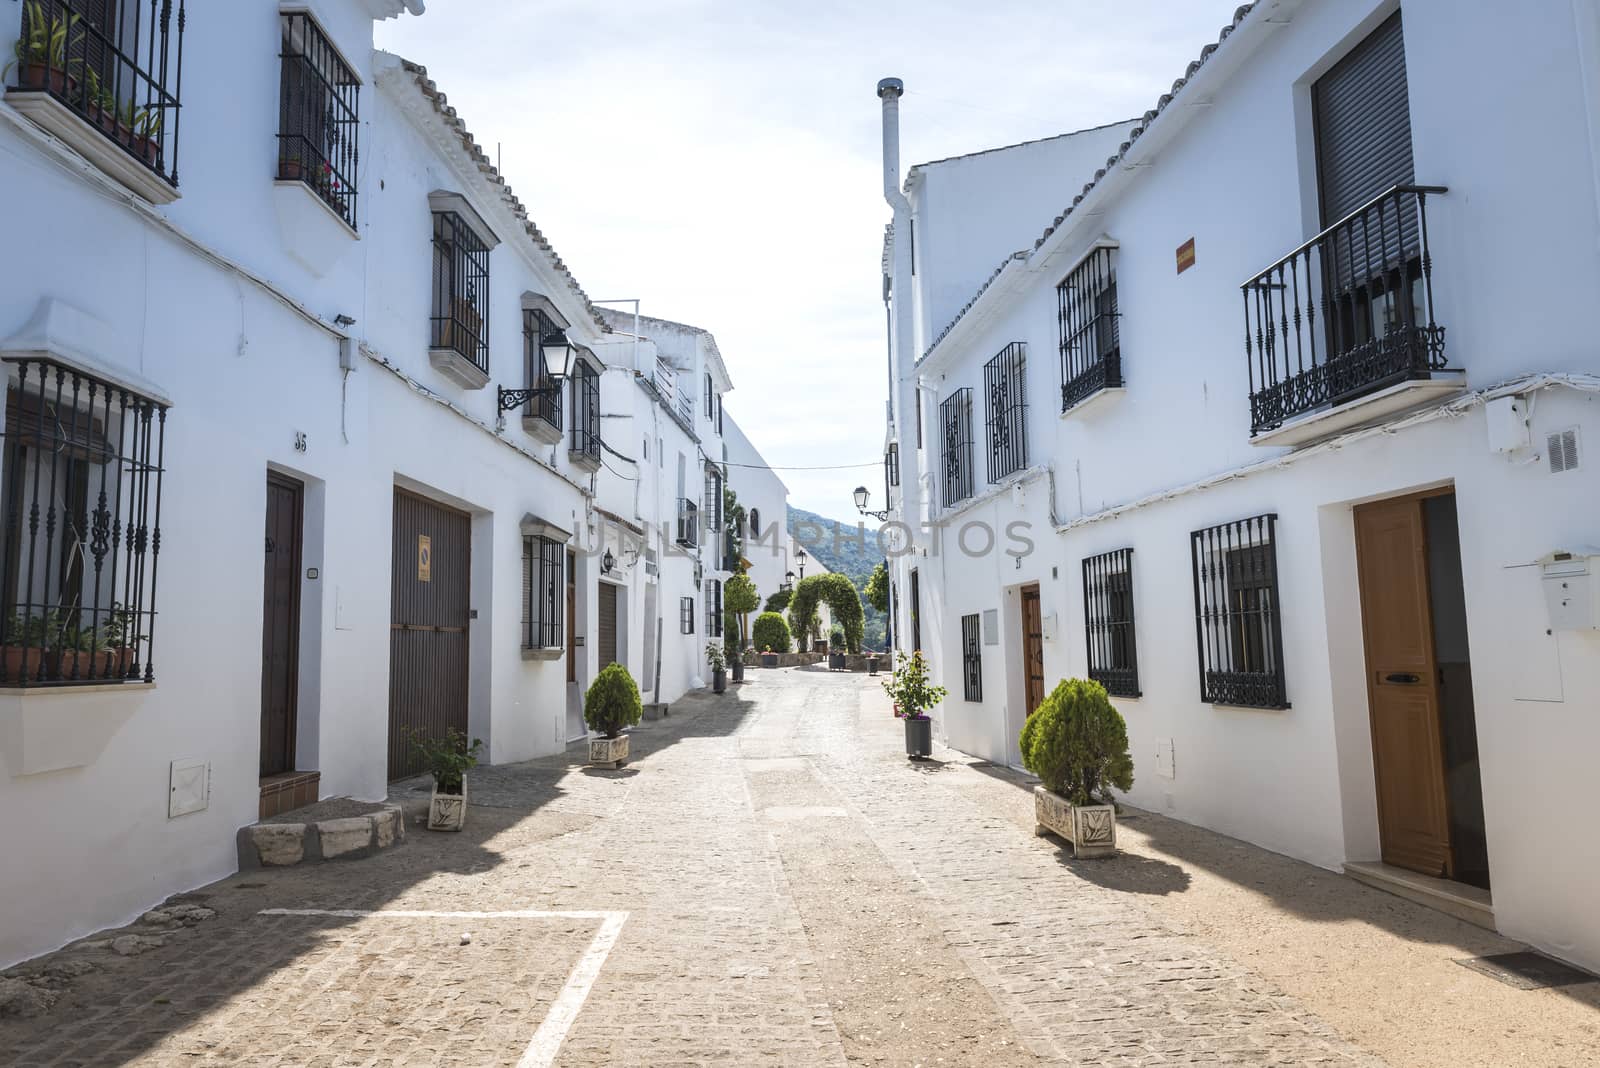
x=1327, y=535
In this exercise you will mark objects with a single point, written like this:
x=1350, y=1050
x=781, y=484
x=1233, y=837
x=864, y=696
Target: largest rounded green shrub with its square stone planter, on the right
x=1078, y=744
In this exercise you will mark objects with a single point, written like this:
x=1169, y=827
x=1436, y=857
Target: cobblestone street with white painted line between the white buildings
x=796, y=893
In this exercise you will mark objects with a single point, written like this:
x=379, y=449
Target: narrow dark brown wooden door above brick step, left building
x=281, y=624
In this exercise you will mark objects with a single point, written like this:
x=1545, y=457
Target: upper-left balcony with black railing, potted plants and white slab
x=105, y=79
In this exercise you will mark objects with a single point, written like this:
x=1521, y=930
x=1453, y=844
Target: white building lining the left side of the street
x=294, y=317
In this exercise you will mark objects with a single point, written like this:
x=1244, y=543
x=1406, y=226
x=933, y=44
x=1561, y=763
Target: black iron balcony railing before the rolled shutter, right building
x=1346, y=314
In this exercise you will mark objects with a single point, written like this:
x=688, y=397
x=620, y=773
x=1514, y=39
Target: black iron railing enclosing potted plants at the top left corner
x=118, y=66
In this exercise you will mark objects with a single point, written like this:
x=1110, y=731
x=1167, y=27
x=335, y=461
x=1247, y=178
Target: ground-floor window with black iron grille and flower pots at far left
x=82, y=508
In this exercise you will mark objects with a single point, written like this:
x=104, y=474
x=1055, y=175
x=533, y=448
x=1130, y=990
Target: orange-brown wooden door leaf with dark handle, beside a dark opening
x=1402, y=685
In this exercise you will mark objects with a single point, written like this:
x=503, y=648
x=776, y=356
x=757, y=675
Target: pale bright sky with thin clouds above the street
x=721, y=162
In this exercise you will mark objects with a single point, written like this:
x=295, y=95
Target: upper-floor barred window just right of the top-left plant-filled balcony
x=319, y=121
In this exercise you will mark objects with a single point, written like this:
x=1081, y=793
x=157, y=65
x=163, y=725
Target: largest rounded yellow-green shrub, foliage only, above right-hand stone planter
x=1078, y=744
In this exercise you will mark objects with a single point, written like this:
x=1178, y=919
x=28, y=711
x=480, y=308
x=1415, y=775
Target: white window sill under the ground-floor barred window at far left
x=46, y=736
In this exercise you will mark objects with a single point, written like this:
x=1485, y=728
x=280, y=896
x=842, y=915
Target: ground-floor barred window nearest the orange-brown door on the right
x=1236, y=575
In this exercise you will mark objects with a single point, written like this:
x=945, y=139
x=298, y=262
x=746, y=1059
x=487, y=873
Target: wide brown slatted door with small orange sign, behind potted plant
x=428, y=631
